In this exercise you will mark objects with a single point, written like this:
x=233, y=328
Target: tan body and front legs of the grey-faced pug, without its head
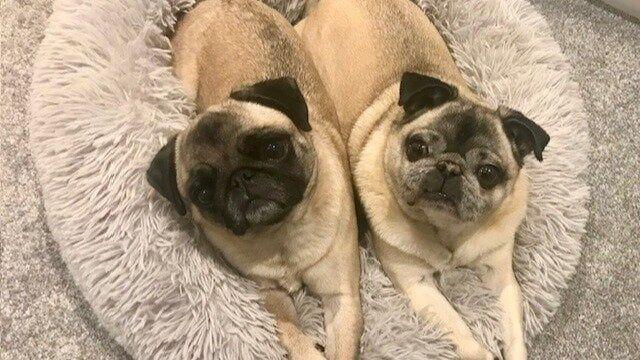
x=361, y=48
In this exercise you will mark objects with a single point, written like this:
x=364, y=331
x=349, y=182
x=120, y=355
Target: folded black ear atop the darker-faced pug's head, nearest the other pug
x=282, y=94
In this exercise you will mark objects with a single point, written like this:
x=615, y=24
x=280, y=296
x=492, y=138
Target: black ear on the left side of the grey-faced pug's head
x=419, y=92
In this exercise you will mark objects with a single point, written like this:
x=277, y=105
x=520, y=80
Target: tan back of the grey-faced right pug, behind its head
x=363, y=46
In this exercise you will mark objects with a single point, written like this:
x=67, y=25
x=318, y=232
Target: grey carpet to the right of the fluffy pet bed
x=600, y=318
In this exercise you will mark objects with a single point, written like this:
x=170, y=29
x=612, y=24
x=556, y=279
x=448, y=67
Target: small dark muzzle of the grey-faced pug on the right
x=443, y=183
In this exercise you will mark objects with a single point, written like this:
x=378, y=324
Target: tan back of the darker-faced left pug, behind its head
x=222, y=45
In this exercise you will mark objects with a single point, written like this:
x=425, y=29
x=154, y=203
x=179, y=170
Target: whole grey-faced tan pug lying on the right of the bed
x=438, y=171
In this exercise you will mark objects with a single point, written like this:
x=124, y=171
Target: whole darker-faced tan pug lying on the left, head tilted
x=262, y=170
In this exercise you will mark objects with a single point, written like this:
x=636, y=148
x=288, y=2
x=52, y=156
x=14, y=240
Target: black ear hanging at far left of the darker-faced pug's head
x=162, y=175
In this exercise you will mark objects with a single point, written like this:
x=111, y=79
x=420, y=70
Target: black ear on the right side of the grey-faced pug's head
x=525, y=135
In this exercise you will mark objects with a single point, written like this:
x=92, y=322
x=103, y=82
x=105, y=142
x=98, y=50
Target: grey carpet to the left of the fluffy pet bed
x=42, y=313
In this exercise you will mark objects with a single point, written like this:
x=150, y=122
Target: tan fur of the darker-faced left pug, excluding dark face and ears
x=220, y=46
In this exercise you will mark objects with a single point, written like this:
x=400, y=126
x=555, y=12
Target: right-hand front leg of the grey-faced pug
x=501, y=280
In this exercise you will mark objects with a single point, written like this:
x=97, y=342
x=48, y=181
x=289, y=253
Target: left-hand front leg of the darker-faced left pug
x=298, y=345
